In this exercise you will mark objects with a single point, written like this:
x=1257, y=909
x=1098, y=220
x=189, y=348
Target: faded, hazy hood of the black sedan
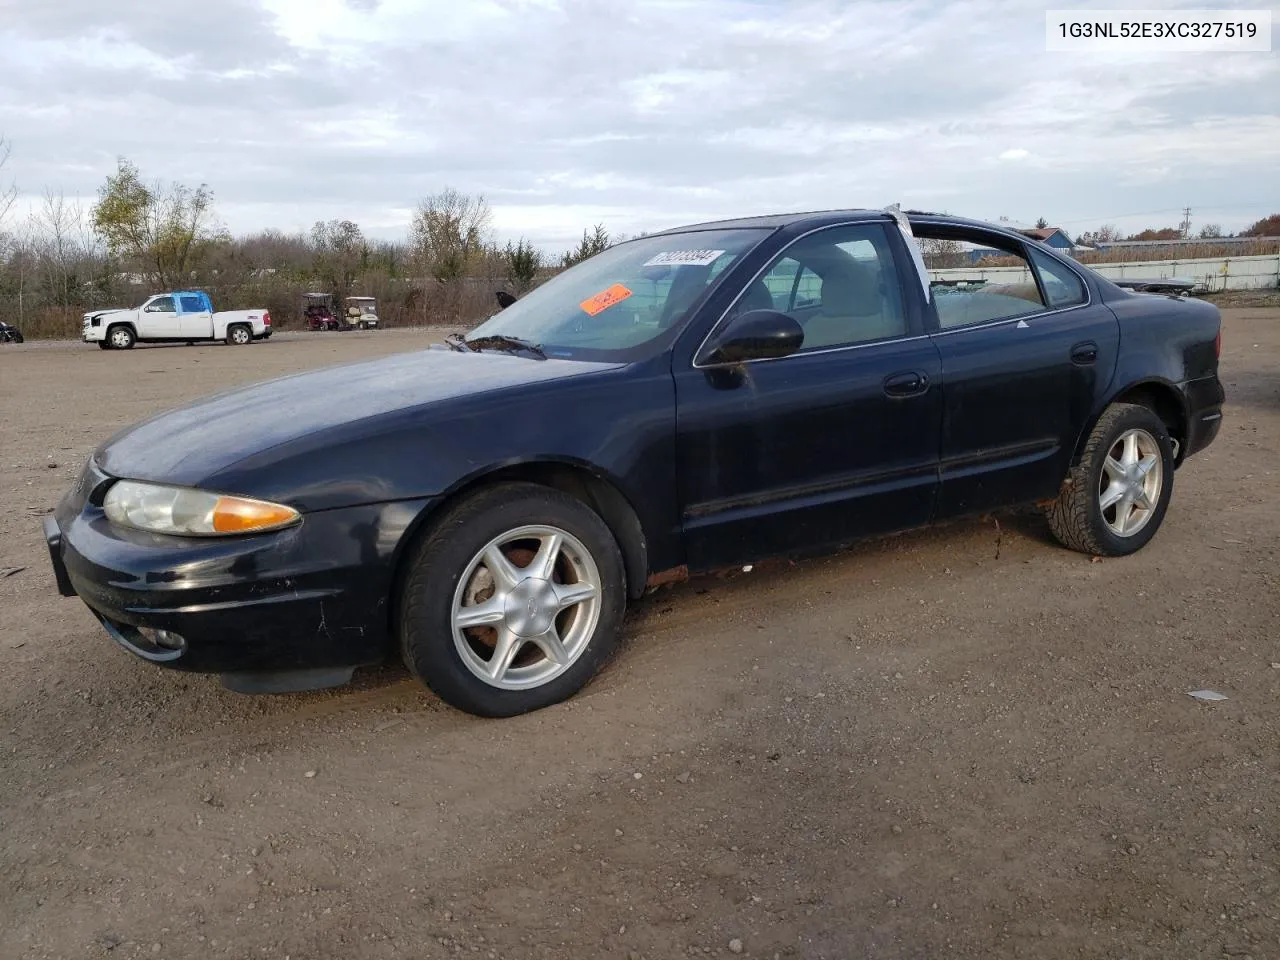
x=193, y=444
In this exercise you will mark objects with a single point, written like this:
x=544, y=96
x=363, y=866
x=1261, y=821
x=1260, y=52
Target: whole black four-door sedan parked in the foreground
x=705, y=397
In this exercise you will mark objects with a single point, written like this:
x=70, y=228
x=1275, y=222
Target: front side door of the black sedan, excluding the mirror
x=835, y=442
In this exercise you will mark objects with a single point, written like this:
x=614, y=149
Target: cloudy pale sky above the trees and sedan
x=642, y=115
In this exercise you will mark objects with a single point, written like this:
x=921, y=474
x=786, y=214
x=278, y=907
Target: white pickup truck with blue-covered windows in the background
x=172, y=318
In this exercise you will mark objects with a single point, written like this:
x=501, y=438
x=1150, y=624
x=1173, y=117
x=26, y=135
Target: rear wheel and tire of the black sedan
x=1117, y=497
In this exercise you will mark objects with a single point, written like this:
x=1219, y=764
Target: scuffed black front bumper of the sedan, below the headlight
x=310, y=598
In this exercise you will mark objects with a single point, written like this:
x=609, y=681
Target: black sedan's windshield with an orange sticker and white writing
x=618, y=304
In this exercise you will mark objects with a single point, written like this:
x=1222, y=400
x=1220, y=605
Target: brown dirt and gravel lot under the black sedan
x=952, y=743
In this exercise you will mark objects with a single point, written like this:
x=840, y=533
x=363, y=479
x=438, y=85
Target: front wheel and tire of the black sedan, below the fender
x=514, y=601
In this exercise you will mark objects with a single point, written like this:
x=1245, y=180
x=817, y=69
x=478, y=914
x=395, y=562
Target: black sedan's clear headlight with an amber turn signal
x=186, y=513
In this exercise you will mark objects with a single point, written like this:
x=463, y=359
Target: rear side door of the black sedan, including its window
x=1026, y=350
